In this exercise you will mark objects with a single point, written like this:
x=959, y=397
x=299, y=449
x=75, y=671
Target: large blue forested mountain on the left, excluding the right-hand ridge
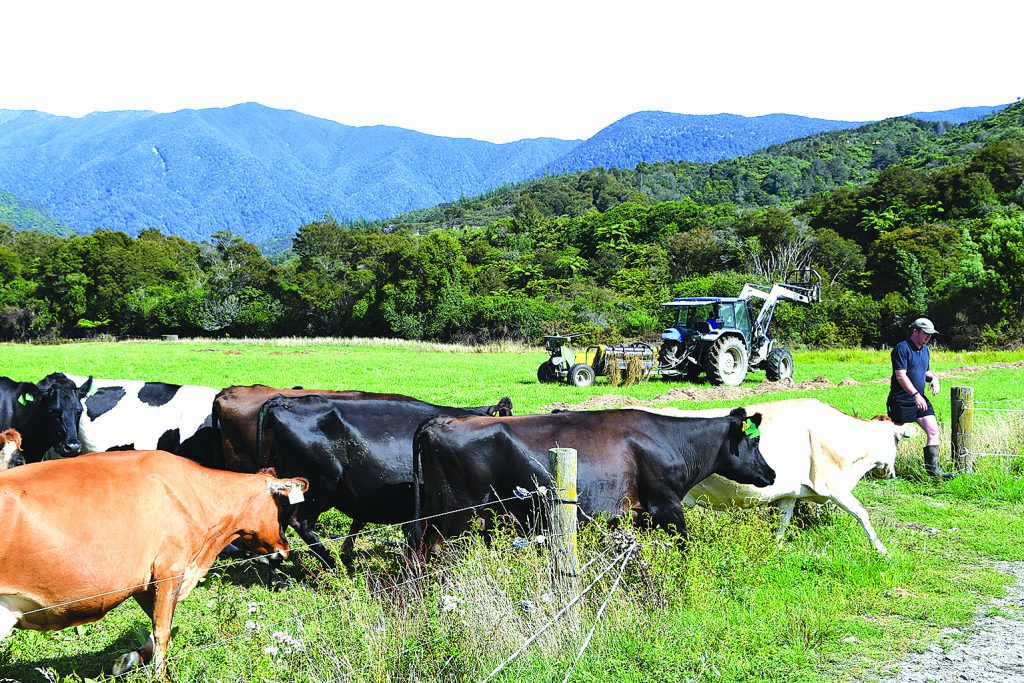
x=259, y=172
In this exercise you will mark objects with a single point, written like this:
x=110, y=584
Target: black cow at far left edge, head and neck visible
x=46, y=414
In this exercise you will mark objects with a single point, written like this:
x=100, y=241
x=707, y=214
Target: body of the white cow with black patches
x=134, y=415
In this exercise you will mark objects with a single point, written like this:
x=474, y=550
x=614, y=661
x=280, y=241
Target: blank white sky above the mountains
x=516, y=69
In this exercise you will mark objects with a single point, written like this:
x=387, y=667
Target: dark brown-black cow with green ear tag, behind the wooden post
x=630, y=463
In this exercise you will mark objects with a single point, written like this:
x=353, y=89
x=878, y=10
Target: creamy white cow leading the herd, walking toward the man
x=819, y=453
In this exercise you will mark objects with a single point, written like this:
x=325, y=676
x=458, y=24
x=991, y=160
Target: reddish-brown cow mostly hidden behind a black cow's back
x=236, y=410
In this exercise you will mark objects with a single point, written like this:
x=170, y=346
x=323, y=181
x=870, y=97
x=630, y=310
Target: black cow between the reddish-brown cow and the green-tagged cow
x=357, y=451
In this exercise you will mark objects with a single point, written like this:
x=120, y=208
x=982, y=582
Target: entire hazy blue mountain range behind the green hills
x=264, y=173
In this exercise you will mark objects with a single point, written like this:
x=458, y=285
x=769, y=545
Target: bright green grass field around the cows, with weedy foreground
x=738, y=607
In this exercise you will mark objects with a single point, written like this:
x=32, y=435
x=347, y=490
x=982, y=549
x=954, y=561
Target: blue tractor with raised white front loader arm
x=727, y=337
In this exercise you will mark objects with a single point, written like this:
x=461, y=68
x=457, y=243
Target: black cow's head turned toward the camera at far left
x=56, y=421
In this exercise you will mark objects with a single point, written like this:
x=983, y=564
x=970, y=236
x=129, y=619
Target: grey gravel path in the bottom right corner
x=992, y=651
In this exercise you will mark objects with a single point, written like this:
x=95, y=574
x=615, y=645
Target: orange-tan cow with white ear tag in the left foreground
x=83, y=535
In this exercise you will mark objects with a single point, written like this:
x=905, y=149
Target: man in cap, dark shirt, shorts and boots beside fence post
x=912, y=371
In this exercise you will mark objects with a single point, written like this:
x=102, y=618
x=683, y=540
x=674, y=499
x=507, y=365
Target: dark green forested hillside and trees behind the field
x=902, y=218
